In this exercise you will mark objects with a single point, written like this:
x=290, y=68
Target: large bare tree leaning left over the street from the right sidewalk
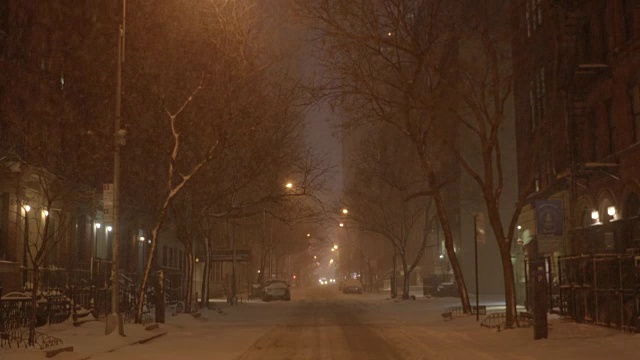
x=385, y=62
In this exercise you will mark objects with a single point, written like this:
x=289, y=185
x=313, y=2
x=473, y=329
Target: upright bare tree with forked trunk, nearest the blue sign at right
x=483, y=83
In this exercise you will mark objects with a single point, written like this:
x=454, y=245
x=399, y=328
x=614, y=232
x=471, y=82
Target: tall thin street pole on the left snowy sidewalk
x=115, y=317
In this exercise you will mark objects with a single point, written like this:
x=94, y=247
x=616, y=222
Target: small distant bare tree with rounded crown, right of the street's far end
x=385, y=175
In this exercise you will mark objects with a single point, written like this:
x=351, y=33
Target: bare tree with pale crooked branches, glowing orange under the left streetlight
x=239, y=102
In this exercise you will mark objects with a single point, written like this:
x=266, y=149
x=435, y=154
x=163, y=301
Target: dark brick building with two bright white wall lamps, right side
x=577, y=103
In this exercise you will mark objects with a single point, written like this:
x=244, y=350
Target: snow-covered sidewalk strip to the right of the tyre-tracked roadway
x=463, y=338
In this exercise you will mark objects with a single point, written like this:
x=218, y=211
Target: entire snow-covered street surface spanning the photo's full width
x=322, y=323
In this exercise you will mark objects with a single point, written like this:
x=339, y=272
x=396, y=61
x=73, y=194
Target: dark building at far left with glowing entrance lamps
x=52, y=101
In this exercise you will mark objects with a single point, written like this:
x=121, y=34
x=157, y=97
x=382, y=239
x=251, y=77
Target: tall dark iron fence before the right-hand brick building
x=601, y=289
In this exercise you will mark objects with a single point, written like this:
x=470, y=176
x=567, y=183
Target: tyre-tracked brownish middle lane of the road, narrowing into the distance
x=327, y=325
